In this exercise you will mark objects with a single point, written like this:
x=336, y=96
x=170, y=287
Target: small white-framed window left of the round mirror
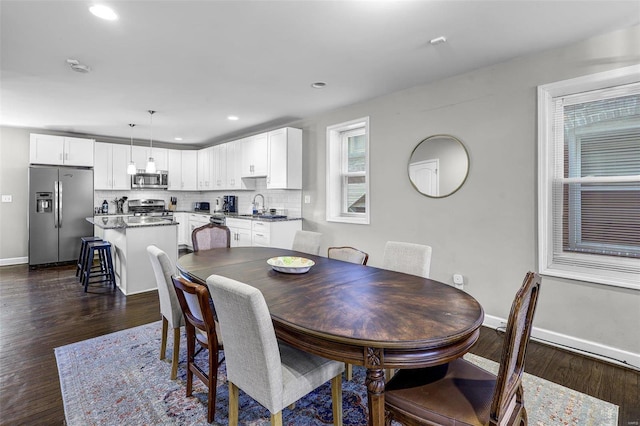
x=348, y=172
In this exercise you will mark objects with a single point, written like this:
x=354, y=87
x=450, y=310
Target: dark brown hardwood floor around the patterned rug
x=45, y=308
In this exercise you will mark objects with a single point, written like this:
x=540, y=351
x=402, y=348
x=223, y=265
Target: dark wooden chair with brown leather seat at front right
x=462, y=393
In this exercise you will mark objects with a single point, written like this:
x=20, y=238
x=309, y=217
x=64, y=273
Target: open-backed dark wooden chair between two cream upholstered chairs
x=201, y=327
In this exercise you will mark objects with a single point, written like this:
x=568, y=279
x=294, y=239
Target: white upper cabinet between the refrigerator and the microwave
x=110, y=168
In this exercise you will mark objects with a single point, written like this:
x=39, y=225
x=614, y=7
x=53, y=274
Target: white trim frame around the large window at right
x=579, y=268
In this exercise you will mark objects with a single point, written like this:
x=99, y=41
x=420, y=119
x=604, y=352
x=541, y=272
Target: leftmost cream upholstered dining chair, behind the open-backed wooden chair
x=169, y=305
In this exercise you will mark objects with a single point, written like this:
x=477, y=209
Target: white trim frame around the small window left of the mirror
x=334, y=174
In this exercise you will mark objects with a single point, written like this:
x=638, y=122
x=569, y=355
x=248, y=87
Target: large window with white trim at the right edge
x=589, y=178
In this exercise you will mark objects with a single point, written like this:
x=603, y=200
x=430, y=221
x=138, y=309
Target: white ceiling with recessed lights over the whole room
x=197, y=62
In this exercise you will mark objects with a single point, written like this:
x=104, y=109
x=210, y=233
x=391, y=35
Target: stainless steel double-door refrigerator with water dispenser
x=60, y=198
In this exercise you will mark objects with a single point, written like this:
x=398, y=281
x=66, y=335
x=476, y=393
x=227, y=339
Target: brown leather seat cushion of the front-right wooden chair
x=458, y=393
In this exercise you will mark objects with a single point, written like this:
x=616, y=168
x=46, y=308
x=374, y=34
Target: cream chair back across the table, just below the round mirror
x=408, y=258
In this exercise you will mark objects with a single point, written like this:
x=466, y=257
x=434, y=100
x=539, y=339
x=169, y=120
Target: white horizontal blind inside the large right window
x=596, y=179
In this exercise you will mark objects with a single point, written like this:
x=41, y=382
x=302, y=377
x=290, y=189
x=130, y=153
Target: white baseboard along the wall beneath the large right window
x=574, y=344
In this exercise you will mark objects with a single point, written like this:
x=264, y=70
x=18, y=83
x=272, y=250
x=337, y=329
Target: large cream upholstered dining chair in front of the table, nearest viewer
x=273, y=373
